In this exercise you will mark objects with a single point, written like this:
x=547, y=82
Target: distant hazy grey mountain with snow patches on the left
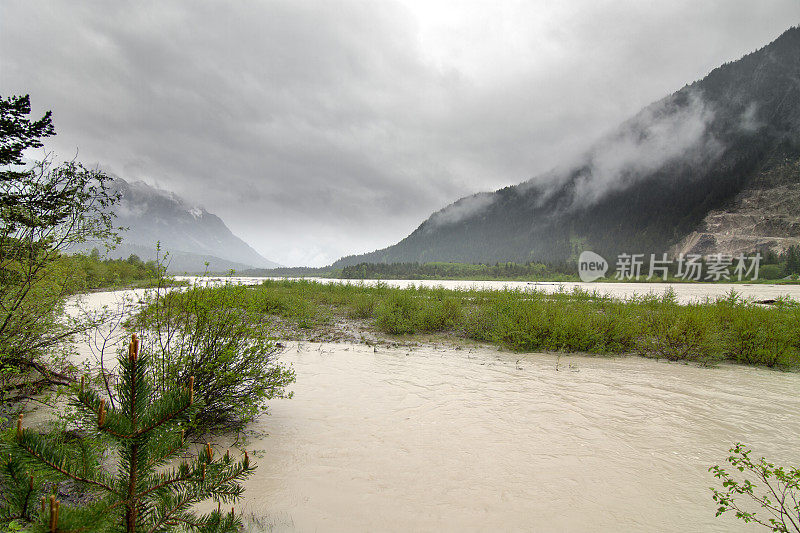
x=191, y=235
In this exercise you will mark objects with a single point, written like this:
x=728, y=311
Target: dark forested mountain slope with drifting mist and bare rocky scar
x=723, y=145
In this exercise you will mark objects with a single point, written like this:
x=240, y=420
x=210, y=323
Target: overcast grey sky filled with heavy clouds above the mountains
x=318, y=129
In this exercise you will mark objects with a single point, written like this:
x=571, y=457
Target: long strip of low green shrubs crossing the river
x=723, y=329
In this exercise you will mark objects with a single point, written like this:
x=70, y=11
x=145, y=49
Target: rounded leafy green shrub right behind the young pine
x=206, y=333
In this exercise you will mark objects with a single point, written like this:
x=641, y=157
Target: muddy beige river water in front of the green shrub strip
x=477, y=439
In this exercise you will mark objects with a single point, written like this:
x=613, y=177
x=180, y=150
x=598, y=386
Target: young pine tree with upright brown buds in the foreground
x=143, y=494
